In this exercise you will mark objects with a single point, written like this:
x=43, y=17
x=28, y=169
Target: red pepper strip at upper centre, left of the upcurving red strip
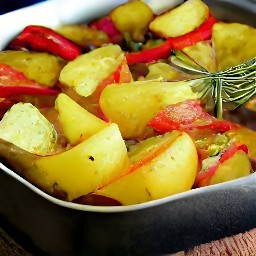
x=149, y=55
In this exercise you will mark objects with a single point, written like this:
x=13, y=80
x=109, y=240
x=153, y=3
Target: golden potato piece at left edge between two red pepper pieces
x=39, y=66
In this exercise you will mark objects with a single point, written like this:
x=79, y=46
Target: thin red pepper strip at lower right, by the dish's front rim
x=202, y=178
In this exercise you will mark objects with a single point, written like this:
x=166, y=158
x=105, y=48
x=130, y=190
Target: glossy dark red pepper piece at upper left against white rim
x=44, y=39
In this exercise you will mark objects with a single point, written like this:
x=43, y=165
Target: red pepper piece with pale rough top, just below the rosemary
x=187, y=115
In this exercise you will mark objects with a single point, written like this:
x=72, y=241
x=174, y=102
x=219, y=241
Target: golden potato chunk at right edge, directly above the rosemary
x=234, y=44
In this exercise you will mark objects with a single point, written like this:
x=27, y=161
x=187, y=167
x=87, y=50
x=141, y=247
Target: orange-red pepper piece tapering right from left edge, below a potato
x=13, y=83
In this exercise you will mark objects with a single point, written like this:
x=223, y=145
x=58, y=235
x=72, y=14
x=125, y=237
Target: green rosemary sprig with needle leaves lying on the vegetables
x=223, y=90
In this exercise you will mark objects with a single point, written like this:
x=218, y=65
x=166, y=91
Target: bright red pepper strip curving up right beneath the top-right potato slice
x=204, y=32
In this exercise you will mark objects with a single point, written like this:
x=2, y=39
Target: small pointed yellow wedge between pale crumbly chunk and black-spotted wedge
x=77, y=123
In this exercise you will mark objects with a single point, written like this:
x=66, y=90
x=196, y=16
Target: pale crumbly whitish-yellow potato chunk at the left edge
x=24, y=126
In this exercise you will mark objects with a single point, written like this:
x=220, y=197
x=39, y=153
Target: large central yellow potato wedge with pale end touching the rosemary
x=133, y=105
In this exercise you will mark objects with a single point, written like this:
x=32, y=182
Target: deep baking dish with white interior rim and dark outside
x=47, y=226
